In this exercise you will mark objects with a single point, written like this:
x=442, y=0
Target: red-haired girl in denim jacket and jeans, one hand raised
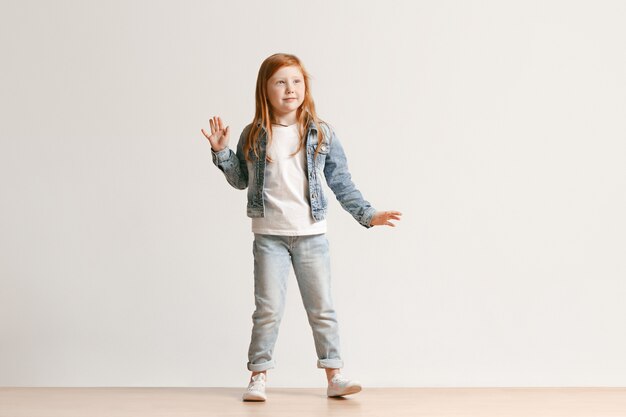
x=282, y=158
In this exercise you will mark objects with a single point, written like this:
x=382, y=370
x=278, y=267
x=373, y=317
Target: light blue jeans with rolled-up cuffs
x=309, y=256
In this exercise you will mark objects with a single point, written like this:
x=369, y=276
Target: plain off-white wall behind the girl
x=497, y=128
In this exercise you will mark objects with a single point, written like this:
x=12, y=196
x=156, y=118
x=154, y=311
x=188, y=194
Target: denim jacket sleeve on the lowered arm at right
x=340, y=182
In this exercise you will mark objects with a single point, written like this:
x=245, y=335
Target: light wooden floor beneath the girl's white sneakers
x=379, y=402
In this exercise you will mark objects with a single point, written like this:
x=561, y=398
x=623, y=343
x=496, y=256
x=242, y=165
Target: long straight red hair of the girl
x=263, y=112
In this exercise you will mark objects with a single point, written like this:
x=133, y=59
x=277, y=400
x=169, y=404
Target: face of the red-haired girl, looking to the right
x=285, y=90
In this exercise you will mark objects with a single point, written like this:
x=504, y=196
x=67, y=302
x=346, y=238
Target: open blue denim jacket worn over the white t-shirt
x=330, y=164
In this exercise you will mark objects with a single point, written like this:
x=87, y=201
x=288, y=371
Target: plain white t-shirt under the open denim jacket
x=286, y=191
